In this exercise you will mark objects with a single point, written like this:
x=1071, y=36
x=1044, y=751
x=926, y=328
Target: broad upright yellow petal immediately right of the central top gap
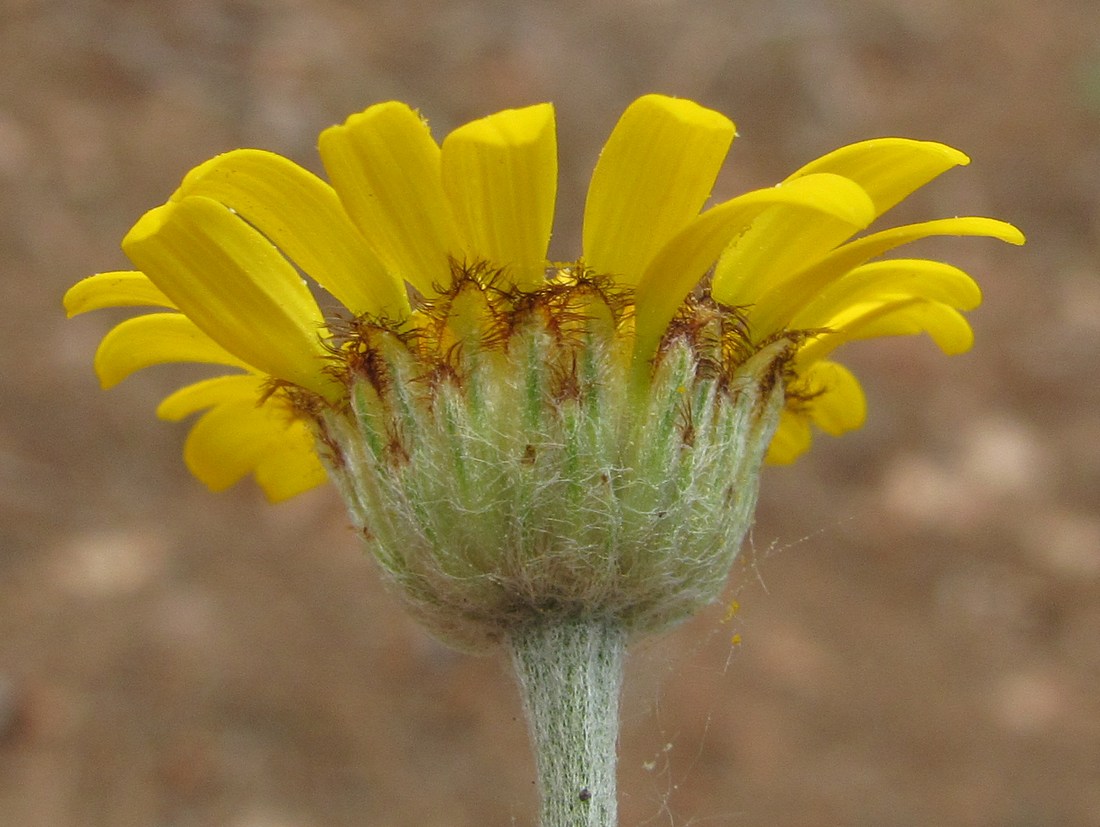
x=654, y=177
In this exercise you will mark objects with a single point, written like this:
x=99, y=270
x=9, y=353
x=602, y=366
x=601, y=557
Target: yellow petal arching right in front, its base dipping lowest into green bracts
x=678, y=268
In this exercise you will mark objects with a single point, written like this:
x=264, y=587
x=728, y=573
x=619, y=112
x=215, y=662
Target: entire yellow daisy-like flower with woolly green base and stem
x=525, y=440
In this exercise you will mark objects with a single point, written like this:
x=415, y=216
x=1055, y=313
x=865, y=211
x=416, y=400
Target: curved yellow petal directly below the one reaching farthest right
x=889, y=280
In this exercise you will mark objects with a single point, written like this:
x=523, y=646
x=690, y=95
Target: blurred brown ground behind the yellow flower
x=920, y=608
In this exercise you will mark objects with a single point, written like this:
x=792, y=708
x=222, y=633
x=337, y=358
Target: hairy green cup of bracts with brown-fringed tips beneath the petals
x=493, y=500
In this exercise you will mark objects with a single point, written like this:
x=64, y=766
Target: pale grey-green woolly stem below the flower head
x=570, y=674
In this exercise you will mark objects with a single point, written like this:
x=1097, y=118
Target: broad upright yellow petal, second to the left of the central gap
x=386, y=168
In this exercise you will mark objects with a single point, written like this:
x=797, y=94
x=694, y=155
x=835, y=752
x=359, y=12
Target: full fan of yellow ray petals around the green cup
x=223, y=259
